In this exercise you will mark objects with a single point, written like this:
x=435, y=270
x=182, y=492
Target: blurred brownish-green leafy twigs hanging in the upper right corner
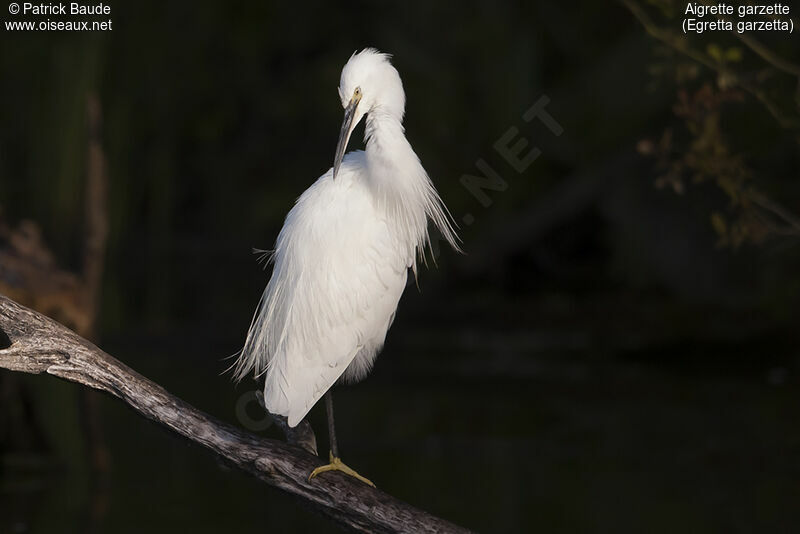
x=726, y=85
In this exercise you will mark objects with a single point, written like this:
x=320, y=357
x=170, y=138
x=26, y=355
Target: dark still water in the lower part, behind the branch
x=498, y=430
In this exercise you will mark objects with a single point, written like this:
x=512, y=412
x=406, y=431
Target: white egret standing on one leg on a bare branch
x=343, y=254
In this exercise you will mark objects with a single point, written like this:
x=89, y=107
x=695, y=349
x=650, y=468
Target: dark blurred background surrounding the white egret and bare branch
x=617, y=349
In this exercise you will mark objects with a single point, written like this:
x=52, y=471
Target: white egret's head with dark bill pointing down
x=369, y=84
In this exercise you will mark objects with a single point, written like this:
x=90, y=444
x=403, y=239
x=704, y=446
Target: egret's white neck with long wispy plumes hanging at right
x=402, y=187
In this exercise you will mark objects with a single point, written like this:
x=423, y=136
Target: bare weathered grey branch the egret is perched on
x=33, y=343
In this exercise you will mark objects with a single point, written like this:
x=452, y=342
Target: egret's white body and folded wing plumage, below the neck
x=337, y=278
